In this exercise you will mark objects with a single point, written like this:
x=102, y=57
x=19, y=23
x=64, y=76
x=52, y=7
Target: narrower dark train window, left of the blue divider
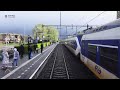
x=92, y=52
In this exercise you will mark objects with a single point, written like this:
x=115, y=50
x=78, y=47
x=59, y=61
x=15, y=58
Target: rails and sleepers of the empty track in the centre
x=59, y=68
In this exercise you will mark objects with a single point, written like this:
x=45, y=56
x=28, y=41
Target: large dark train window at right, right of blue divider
x=109, y=58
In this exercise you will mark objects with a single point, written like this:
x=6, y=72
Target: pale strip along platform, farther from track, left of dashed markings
x=4, y=77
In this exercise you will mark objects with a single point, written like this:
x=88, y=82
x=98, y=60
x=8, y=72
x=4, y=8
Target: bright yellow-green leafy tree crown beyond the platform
x=49, y=33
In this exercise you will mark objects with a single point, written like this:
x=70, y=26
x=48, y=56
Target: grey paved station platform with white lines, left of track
x=26, y=68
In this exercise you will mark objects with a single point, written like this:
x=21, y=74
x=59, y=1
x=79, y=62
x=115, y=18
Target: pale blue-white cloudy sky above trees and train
x=31, y=18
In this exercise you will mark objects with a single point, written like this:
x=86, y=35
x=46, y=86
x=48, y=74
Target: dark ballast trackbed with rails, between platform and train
x=63, y=65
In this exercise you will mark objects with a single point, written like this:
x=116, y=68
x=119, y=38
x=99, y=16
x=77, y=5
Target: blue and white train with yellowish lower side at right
x=99, y=49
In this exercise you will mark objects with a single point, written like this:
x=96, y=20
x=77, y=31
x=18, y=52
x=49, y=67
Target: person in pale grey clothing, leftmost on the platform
x=5, y=59
